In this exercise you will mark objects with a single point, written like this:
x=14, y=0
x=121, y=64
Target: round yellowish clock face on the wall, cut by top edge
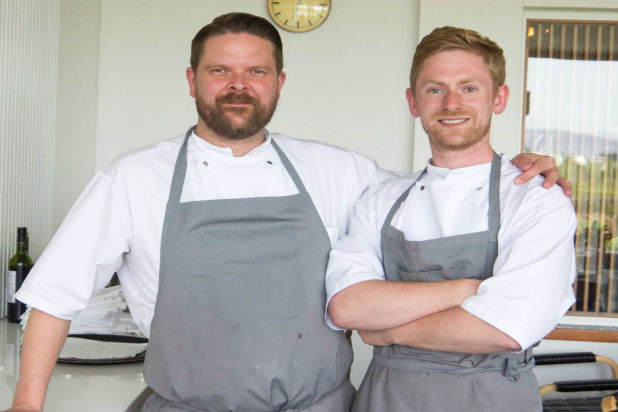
x=298, y=15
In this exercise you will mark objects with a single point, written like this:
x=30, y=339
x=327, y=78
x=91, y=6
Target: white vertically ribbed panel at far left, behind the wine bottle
x=28, y=82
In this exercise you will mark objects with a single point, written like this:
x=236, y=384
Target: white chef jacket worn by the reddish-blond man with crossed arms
x=531, y=284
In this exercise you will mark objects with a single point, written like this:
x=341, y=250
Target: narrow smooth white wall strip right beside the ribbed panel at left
x=77, y=101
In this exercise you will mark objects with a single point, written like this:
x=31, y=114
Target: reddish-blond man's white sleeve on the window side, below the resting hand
x=533, y=274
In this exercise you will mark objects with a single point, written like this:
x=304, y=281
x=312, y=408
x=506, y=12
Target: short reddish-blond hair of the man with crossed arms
x=455, y=38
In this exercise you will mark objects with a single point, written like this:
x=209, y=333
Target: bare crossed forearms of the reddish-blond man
x=424, y=315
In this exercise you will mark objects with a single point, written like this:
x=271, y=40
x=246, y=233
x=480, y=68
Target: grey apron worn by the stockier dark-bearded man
x=239, y=318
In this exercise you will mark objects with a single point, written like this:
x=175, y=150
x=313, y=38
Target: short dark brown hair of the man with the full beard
x=237, y=23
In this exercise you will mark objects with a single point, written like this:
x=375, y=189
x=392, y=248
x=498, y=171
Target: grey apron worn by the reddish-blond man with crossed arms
x=403, y=378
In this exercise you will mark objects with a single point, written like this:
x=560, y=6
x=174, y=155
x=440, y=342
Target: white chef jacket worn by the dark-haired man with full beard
x=116, y=223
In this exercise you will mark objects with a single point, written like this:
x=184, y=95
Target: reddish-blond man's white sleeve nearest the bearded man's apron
x=356, y=257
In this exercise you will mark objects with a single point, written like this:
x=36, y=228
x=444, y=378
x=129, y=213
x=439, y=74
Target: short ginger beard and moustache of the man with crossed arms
x=439, y=137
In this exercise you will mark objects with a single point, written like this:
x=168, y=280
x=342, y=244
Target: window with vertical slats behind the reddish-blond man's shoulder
x=570, y=114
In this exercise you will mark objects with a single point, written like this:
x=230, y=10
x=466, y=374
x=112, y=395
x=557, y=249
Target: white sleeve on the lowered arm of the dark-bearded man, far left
x=85, y=251
